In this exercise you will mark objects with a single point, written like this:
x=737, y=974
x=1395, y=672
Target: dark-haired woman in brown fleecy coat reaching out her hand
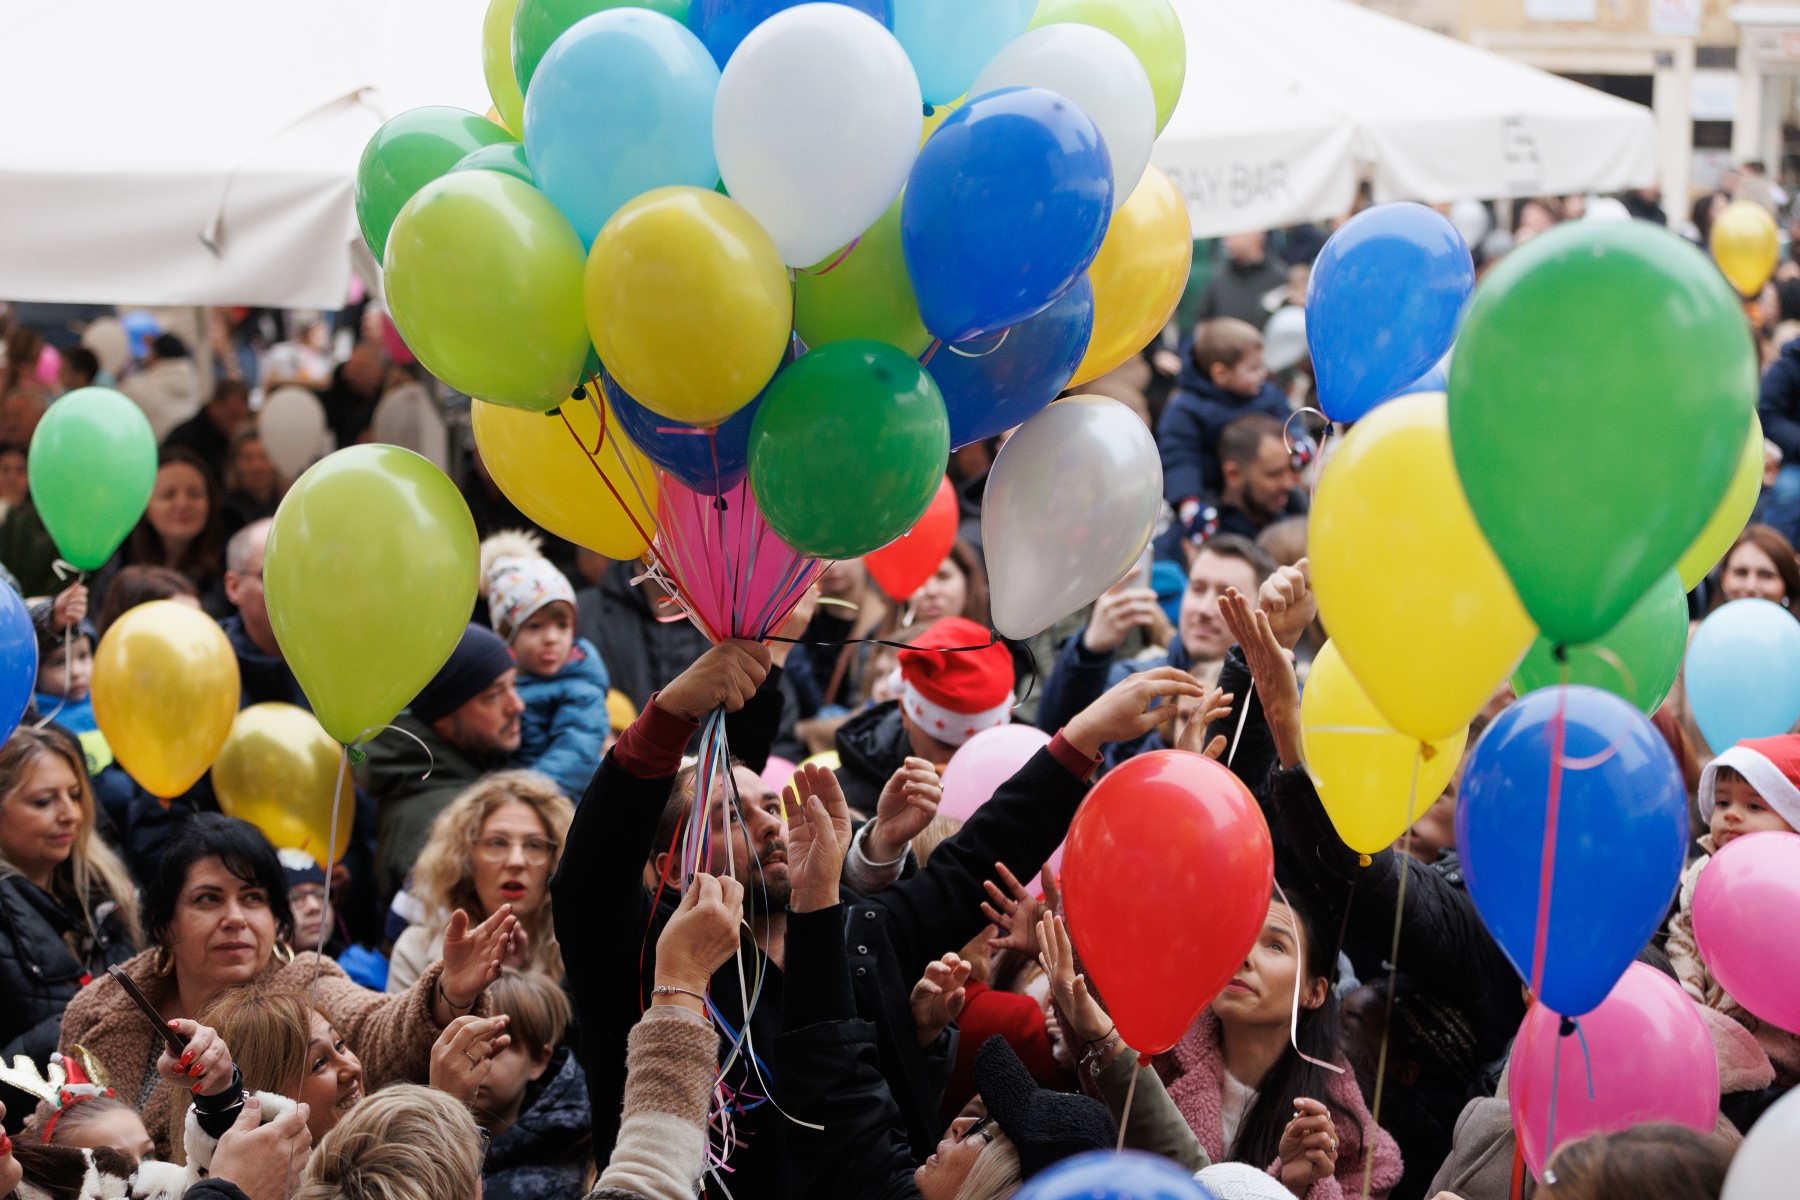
x=217, y=915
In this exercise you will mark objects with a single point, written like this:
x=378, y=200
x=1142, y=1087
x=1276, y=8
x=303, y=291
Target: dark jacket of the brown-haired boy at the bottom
x=548, y=1151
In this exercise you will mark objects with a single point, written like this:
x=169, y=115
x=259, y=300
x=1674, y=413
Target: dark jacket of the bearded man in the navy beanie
x=406, y=800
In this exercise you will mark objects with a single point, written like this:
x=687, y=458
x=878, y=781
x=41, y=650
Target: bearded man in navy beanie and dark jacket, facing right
x=463, y=724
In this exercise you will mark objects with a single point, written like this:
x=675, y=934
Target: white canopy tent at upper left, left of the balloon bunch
x=206, y=152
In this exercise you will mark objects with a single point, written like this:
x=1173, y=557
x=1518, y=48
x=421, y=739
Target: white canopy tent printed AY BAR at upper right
x=1290, y=103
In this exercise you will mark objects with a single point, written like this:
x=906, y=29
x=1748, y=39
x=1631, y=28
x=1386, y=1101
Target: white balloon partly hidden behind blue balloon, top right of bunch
x=1101, y=75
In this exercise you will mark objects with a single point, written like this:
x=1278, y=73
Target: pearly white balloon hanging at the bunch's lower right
x=1070, y=505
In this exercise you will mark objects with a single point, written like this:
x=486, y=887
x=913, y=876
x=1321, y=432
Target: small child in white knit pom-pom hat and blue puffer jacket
x=561, y=676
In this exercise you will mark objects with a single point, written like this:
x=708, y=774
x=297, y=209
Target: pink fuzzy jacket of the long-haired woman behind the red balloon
x=1198, y=1082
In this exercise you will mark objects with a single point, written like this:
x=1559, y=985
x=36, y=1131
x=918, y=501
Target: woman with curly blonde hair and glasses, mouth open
x=496, y=845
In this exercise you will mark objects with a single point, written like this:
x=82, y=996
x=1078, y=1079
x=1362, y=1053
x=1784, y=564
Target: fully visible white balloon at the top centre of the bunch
x=816, y=127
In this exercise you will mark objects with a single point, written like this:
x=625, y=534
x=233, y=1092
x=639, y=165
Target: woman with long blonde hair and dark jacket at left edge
x=67, y=904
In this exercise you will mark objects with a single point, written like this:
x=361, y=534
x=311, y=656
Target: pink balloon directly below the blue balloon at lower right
x=1651, y=1061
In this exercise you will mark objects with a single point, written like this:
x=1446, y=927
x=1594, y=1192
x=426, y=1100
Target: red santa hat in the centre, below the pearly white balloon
x=951, y=692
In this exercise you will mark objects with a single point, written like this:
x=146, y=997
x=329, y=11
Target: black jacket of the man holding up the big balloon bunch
x=890, y=940
